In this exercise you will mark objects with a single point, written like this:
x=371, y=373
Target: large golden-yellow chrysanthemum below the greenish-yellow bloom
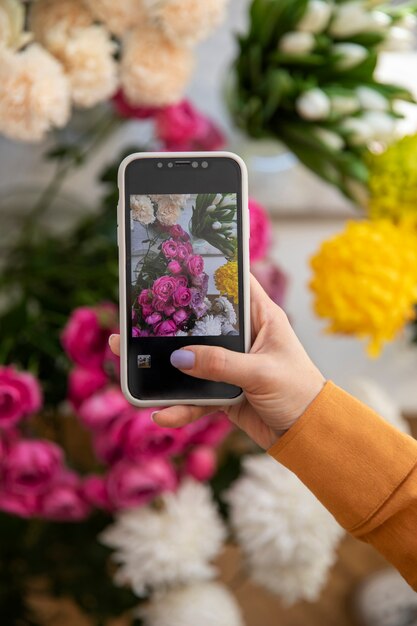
x=365, y=280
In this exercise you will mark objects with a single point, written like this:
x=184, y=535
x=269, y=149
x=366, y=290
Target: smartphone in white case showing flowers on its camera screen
x=183, y=234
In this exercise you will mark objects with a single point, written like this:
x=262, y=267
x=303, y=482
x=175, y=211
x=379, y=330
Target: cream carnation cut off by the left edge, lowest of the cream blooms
x=34, y=93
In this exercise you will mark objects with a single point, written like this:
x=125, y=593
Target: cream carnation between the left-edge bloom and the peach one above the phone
x=88, y=59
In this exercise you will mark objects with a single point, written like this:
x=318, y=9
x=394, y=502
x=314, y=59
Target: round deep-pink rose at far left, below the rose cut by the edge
x=31, y=466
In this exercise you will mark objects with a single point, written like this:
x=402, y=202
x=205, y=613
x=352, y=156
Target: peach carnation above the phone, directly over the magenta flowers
x=154, y=71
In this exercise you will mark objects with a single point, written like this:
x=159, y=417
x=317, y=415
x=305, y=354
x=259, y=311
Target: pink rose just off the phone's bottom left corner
x=102, y=408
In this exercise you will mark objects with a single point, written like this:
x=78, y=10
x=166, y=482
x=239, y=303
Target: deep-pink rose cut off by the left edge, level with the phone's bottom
x=20, y=395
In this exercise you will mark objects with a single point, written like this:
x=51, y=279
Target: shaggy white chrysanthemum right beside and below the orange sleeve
x=288, y=538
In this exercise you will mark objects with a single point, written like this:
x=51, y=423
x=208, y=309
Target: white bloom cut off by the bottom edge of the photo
x=203, y=604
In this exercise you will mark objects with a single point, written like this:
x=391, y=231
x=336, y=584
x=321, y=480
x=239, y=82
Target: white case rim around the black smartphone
x=123, y=304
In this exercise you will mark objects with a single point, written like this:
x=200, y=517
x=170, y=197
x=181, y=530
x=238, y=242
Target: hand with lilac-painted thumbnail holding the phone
x=278, y=378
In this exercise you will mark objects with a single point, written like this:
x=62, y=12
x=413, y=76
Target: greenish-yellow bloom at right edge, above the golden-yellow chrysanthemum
x=393, y=181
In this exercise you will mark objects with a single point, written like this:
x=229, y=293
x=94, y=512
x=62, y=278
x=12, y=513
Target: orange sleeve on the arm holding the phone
x=362, y=469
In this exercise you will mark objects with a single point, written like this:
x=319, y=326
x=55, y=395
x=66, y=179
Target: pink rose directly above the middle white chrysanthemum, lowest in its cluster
x=134, y=484
